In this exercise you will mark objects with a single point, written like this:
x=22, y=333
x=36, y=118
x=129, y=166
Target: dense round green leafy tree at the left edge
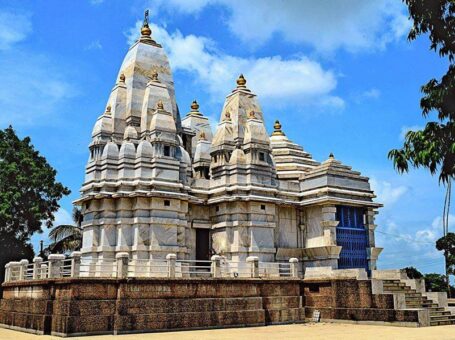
x=29, y=195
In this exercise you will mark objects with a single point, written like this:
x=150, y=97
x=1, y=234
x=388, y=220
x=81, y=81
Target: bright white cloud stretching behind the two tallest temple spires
x=274, y=79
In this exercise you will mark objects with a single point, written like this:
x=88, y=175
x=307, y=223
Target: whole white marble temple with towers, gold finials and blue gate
x=157, y=184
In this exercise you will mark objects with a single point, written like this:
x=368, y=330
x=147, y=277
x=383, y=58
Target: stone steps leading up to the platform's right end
x=438, y=315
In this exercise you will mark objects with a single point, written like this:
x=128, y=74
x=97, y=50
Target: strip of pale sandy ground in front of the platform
x=287, y=332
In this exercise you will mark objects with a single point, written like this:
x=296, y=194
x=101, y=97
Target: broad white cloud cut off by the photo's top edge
x=353, y=25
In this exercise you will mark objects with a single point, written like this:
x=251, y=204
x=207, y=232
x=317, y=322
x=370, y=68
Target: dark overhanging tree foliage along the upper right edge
x=434, y=146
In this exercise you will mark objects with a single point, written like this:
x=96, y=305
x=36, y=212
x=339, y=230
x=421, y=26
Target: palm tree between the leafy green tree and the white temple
x=67, y=237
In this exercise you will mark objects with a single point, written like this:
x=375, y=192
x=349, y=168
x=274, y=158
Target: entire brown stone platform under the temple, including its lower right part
x=83, y=306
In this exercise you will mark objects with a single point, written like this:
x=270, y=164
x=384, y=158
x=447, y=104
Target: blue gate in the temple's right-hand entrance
x=352, y=237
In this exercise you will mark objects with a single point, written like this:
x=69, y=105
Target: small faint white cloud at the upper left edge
x=13, y=28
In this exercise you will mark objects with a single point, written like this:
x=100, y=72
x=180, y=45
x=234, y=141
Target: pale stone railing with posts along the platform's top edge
x=58, y=266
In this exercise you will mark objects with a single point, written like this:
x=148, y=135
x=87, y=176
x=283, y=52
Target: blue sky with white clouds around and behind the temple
x=341, y=77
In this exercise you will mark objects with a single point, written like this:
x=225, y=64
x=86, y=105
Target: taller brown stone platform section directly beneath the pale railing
x=71, y=307
